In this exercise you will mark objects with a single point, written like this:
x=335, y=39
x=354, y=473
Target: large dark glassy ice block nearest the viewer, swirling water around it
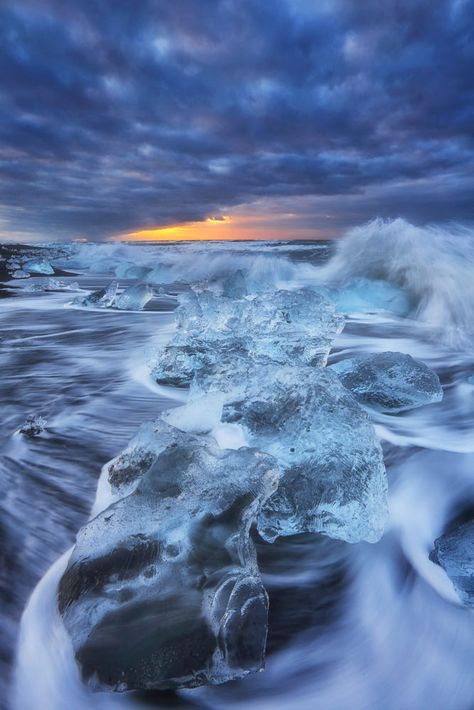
x=162, y=589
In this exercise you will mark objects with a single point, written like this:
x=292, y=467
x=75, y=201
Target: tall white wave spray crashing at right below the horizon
x=432, y=265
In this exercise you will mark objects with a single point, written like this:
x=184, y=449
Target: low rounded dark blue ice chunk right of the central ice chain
x=389, y=381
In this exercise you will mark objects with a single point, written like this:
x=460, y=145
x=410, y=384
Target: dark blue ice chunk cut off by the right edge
x=454, y=552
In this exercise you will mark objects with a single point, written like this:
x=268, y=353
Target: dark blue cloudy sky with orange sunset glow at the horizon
x=233, y=118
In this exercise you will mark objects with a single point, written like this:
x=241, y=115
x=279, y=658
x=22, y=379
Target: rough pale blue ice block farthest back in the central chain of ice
x=284, y=326
